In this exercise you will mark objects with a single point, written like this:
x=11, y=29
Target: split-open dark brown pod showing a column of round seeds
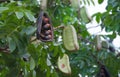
x=44, y=27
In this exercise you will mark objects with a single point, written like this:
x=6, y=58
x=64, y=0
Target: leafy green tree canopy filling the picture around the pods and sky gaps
x=23, y=55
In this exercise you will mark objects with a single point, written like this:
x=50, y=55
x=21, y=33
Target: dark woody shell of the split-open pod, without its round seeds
x=40, y=29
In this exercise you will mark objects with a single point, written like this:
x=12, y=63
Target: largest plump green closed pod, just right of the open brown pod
x=70, y=38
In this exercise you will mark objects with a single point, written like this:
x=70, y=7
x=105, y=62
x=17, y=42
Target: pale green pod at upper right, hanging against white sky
x=84, y=15
